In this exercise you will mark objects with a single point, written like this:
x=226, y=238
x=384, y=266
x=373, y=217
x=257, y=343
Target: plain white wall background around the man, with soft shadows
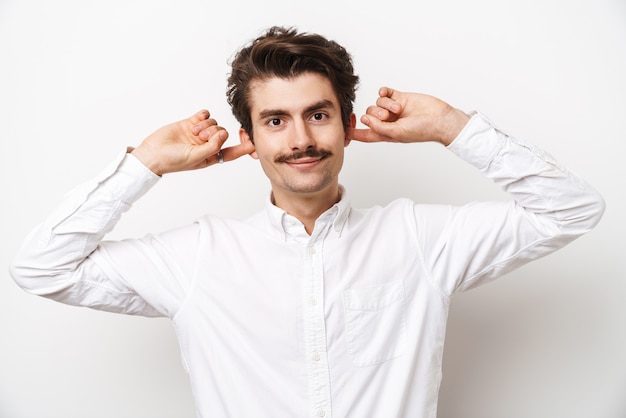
x=80, y=80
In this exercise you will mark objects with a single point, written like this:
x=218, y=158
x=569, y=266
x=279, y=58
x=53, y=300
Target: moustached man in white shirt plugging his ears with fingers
x=311, y=307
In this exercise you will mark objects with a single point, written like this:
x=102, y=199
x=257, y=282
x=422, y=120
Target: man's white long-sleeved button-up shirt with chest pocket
x=347, y=322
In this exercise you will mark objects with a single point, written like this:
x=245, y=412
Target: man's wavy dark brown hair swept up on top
x=286, y=53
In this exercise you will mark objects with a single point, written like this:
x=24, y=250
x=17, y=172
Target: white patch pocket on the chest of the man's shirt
x=375, y=320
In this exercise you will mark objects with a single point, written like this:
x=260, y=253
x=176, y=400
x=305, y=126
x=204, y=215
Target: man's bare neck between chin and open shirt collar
x=307, y=207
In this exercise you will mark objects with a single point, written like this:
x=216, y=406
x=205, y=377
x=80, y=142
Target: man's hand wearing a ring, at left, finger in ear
x=188, y=144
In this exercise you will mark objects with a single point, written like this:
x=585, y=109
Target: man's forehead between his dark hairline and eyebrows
x=290, y=95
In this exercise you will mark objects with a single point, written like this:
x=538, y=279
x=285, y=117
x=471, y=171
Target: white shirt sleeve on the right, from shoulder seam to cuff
x=466, y=246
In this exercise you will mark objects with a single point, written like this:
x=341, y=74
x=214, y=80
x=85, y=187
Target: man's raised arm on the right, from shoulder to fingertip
x=480, y=241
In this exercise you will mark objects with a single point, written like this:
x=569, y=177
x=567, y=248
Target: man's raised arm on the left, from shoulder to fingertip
x=64, y=257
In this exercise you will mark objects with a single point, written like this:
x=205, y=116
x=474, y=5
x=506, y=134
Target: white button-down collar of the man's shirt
x=286, y=225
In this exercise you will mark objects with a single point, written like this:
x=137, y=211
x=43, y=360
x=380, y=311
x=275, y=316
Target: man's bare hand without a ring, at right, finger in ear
x=409, y=117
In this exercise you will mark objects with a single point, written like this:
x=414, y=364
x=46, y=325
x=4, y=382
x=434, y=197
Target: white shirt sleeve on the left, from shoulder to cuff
x=66, y=259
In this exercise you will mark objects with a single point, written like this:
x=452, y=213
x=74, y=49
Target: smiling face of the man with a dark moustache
x=298, y=134
